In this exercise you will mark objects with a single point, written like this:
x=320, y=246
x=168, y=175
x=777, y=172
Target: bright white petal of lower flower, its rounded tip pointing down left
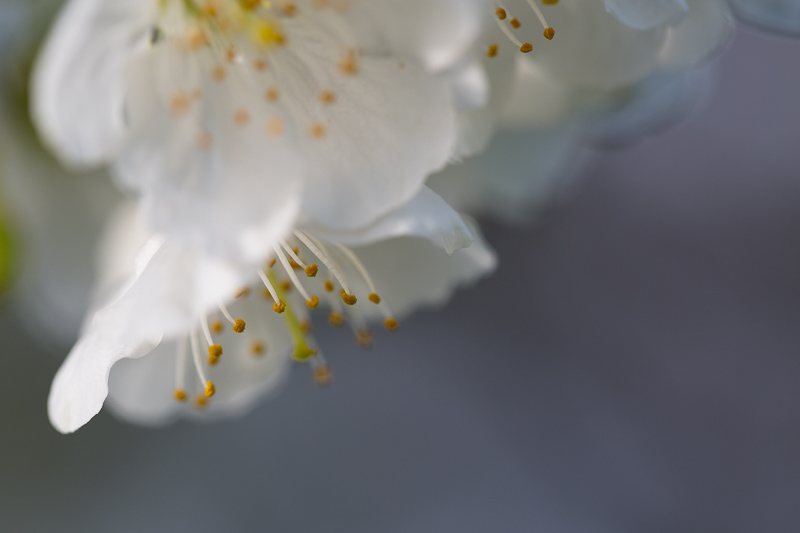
x=164, y=297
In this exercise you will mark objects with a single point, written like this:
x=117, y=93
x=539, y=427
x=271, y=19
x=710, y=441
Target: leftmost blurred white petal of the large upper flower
x=79, y=79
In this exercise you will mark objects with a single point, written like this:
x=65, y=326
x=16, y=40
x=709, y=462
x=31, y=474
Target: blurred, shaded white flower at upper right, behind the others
x=612, y=72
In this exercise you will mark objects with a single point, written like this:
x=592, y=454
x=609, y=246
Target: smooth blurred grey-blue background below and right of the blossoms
x=634, y=366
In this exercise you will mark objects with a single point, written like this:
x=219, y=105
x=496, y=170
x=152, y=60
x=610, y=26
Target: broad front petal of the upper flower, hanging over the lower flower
x=232, y=193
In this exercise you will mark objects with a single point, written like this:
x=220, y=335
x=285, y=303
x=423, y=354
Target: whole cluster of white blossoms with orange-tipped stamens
x=280, y=157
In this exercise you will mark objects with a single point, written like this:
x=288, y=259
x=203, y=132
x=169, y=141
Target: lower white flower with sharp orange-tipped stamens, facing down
x=176, y=302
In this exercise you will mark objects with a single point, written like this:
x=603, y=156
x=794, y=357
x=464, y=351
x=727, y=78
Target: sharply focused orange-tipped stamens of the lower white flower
x=293, y=299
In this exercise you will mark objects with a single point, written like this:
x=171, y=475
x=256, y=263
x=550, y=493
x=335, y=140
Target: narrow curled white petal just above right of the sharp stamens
x=427, y=216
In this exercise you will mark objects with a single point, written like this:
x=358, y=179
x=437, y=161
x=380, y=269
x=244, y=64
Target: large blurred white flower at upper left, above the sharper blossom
x=228, y=115
